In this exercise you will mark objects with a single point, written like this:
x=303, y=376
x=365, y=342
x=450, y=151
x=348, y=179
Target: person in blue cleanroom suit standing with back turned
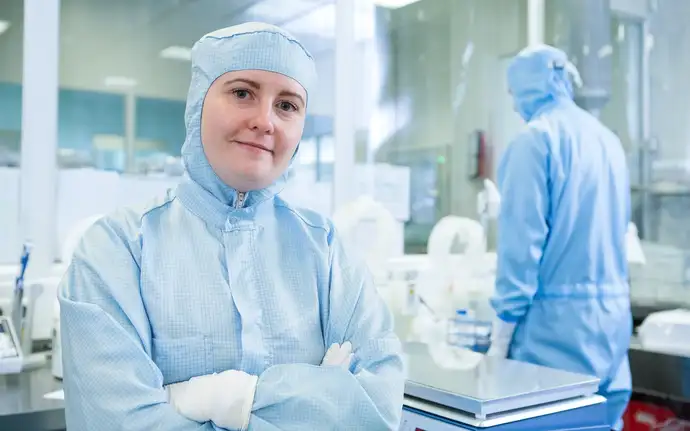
x=562, y=279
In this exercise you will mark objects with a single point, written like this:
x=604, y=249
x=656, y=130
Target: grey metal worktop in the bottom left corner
x=22, y=403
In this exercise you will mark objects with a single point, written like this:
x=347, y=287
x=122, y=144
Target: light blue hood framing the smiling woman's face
x=249, y=46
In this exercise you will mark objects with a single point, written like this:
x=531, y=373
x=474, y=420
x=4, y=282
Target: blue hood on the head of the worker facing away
x=539, y=76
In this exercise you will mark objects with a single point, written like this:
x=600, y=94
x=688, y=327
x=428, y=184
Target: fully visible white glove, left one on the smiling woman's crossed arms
x=225, y=398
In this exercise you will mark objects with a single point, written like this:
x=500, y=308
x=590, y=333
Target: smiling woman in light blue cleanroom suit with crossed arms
x=215, y=306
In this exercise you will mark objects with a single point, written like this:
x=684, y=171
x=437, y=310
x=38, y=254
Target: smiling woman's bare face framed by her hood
x=251, y=123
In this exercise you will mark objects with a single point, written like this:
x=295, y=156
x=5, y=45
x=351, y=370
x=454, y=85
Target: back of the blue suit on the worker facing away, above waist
x=589, y=206
